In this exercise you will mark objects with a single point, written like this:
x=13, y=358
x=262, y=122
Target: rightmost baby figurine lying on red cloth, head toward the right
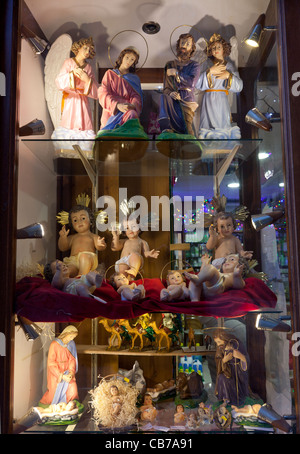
x=213, y=282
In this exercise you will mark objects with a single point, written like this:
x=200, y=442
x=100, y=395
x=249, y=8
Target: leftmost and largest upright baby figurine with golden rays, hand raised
x=83, y=244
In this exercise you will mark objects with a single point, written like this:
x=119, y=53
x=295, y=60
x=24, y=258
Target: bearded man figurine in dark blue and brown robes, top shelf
x=177, y=104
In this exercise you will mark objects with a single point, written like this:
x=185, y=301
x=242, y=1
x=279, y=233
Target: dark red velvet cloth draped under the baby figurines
x=38, y=301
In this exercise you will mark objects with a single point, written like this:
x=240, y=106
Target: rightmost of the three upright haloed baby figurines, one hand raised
x=222, y=241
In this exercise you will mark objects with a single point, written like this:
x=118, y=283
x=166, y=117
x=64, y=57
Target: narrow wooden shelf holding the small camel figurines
x=102, y=350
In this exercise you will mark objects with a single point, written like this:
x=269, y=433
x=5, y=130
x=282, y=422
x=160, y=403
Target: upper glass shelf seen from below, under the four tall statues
x=141, y=157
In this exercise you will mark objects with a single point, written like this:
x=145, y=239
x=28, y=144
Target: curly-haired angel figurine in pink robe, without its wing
x=77, y=82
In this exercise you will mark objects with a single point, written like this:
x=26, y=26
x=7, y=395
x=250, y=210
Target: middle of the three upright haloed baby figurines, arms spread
x=132, y=249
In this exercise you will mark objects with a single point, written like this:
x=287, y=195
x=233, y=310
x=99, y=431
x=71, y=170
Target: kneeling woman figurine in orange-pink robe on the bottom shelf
x=61, y=368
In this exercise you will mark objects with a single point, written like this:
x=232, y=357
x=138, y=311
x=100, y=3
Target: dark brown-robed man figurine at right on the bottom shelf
x=232, y=368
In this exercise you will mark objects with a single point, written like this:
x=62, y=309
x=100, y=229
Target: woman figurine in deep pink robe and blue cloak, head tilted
x=120, y=93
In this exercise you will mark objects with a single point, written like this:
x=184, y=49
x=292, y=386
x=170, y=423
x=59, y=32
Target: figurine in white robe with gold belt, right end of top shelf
x=217, y=81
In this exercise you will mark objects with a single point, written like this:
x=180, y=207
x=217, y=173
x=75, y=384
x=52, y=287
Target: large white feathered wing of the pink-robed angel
x=59, y=52
